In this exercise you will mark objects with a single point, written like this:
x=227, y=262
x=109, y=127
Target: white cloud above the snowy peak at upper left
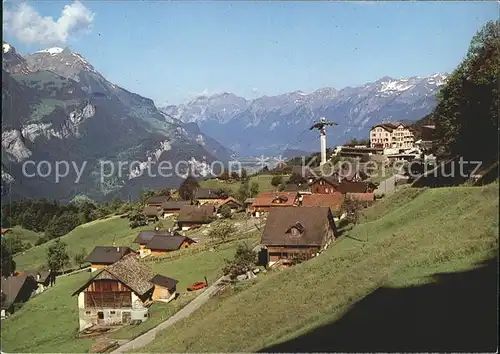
x=28, y=26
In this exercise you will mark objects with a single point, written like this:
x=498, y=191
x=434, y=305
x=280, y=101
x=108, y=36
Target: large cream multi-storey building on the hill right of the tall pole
x=393, y=135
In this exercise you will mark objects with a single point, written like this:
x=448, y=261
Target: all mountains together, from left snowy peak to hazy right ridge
x=57, y=107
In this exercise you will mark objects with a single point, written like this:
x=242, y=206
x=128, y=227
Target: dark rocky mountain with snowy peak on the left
x=57, y=107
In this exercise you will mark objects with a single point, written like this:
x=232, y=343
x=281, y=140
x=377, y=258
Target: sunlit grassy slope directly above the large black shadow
x=407, y=238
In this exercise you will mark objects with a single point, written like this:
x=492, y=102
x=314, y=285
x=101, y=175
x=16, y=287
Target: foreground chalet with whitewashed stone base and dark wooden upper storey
x=118, y=294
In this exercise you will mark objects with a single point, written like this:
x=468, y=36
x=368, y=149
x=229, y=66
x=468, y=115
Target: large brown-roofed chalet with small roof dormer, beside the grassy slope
x=300, y=233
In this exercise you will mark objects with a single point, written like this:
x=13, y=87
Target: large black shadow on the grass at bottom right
x=458, y=313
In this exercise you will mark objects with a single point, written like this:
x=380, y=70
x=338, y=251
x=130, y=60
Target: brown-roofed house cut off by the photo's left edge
x=16, y=289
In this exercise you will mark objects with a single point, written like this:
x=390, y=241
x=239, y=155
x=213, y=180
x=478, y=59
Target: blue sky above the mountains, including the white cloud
x=173, y=51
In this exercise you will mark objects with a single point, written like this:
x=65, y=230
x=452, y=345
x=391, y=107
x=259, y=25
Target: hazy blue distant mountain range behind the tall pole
x=273, y=125
